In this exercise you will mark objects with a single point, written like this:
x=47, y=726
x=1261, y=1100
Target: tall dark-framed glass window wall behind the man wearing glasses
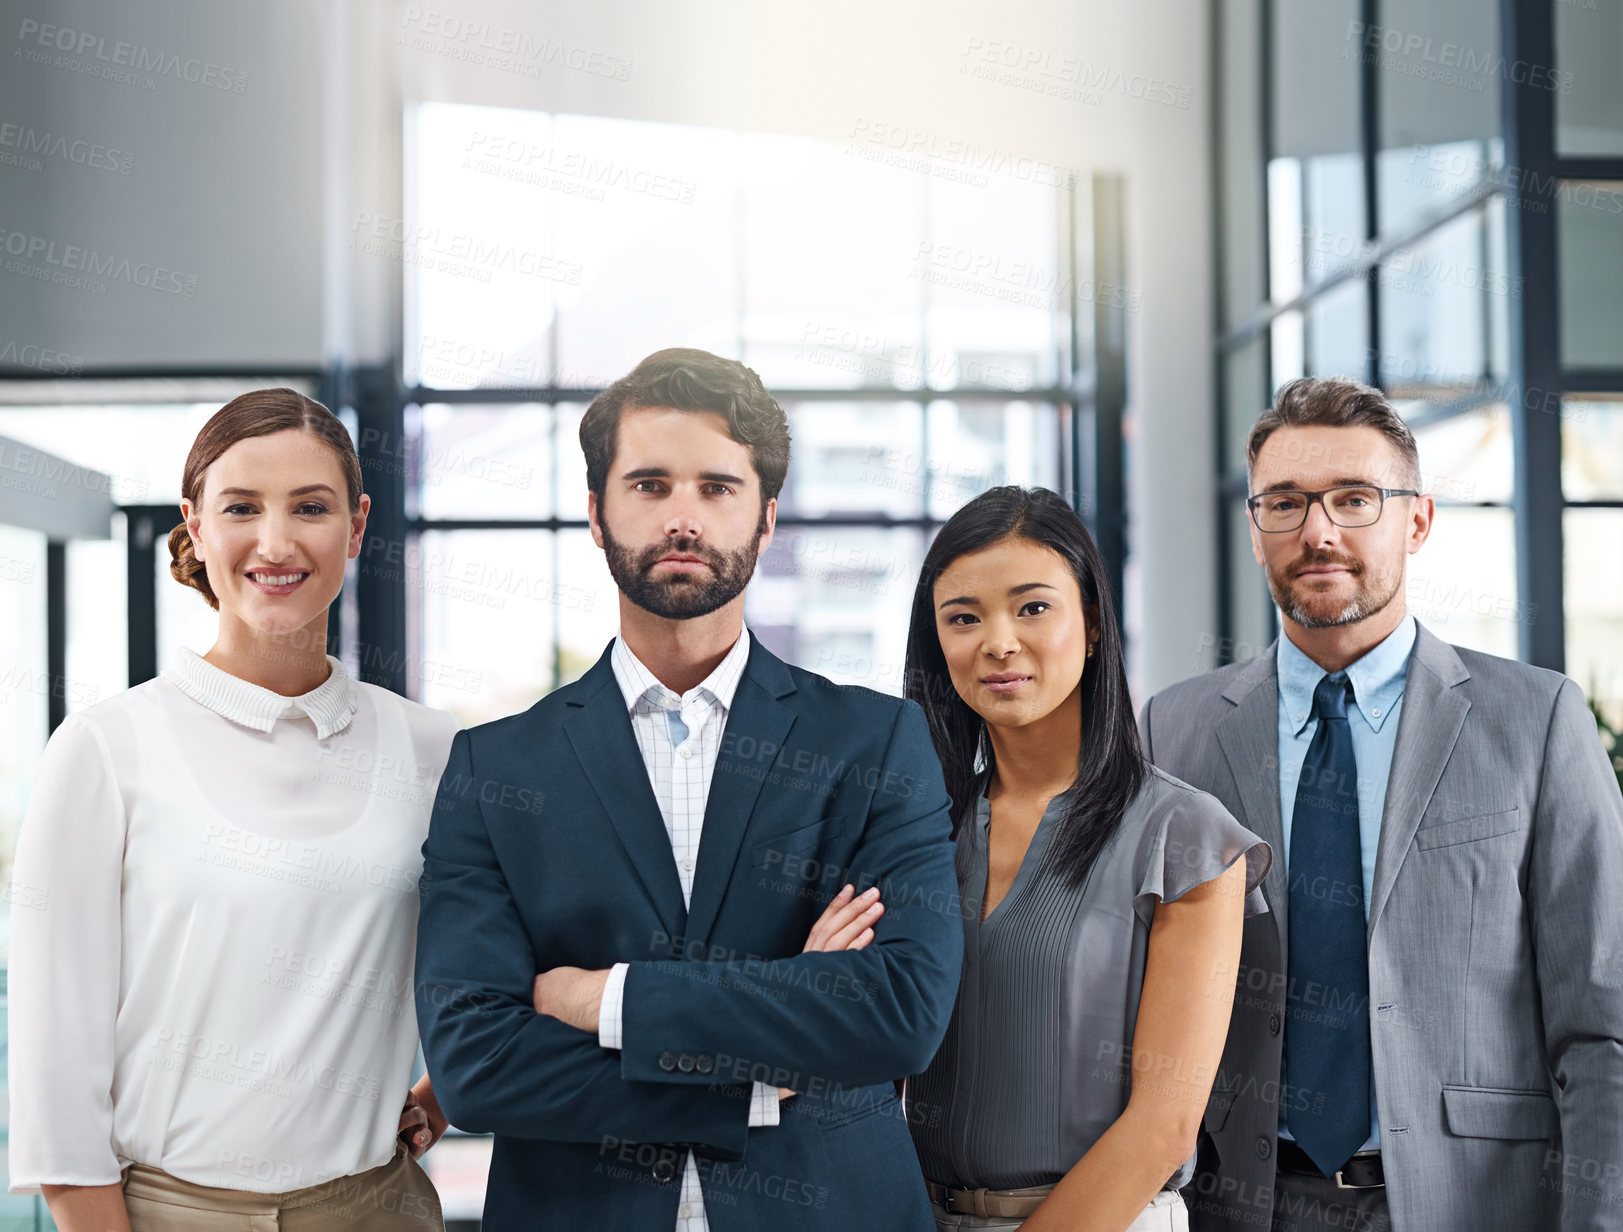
x=1408, y=106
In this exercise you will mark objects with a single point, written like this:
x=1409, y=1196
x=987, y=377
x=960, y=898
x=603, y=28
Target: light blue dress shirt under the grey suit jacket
x=1379, y=694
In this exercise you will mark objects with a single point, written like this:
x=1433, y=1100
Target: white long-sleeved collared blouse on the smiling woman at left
x=215, y=913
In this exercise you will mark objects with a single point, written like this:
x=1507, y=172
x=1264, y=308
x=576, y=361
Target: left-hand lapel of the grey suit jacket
x=1249, y=738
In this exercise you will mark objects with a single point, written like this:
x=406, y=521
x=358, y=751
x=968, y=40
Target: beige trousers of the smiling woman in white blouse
x=397, y=1197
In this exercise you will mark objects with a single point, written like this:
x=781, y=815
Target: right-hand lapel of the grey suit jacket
x=1427, y=731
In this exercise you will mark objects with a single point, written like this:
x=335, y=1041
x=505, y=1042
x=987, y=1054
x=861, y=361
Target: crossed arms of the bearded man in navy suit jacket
x=506, y=1069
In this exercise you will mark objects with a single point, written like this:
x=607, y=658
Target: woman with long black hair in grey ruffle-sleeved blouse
x=1103, y=900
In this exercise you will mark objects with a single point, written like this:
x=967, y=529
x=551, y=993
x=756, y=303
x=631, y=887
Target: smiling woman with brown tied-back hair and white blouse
x=212, y=1009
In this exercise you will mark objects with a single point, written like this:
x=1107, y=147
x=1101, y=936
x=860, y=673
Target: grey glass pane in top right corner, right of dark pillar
x=1590, y=88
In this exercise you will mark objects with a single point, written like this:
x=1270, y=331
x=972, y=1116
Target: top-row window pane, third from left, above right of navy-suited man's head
x=838, y=249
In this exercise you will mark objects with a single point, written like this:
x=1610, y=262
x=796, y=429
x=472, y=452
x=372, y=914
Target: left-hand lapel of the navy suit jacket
x=600, y=730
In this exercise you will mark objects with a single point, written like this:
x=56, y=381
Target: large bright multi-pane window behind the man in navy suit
x=913, y=316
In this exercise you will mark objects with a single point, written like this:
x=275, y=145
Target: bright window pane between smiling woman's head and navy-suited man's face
x=488, y=618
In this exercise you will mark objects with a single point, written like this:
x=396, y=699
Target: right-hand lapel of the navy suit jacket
x=757, y=726
